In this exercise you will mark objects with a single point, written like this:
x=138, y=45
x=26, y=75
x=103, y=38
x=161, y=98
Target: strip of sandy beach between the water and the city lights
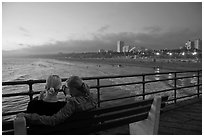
x=175, y=66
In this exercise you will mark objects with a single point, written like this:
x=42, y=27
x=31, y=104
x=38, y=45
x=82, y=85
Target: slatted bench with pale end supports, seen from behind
x=142, y=117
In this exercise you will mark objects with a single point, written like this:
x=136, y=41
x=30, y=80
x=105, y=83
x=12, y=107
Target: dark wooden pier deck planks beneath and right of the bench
x=184, y=118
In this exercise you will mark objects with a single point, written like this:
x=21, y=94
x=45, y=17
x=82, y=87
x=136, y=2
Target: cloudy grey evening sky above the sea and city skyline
x=52, y=27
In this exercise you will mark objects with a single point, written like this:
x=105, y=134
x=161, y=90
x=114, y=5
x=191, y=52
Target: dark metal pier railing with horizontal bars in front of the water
x=197, y=75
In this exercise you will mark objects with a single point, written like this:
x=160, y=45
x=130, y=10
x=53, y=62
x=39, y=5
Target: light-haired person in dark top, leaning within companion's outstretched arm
x=47, y=103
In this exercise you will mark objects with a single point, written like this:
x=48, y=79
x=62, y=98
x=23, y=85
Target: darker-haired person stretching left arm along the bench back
x=78, y=99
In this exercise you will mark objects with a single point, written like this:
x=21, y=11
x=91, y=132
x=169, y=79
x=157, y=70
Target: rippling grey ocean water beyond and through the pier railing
x=18, y=69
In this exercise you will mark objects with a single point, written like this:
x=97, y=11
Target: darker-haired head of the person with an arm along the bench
x=77, y=87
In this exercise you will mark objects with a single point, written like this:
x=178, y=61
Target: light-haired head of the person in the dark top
x=53, y=84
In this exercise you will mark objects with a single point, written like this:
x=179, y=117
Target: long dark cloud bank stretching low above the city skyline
x=171, y=39
